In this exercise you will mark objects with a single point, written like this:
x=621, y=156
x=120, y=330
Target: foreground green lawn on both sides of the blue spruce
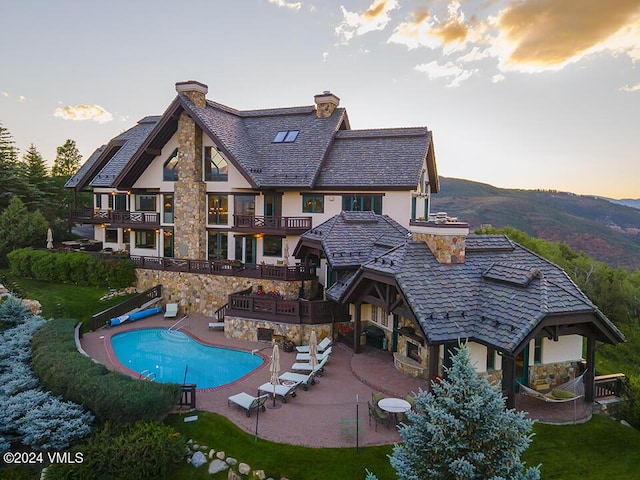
x=590, y=451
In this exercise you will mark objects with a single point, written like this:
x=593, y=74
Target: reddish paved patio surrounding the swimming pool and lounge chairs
x=323, y=416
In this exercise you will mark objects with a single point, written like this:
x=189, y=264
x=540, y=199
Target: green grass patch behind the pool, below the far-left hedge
x=63, y=301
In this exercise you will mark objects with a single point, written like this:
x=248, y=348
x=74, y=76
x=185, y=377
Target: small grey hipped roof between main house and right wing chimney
x=351, y=239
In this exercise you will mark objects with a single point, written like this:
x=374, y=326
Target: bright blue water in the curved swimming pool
x=164, y=356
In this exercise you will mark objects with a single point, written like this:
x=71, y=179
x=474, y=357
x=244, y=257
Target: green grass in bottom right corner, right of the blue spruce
x=600, y=448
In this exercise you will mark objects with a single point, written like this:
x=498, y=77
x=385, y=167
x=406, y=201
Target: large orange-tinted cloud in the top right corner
x=540, y=35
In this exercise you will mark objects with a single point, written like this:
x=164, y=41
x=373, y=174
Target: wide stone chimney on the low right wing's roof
x=445, y=237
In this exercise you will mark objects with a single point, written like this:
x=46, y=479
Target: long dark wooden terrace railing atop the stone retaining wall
x=217, y=267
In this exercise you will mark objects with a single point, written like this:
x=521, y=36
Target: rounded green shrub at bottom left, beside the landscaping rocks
x=143, y=450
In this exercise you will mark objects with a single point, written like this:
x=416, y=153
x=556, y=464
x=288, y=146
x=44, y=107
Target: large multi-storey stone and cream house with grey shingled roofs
x=286, y=220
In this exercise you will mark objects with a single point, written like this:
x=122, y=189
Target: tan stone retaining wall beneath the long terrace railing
x=204, y=294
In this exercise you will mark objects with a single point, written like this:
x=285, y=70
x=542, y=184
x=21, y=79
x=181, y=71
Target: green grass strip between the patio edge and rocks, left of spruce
x=278, y=460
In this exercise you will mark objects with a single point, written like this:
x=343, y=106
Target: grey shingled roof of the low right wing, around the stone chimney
x=497, y=297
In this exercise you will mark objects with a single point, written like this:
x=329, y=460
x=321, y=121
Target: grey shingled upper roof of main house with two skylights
x=324, y=155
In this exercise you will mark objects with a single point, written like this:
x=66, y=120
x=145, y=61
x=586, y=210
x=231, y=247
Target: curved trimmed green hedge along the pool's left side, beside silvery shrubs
x=108, y=394
